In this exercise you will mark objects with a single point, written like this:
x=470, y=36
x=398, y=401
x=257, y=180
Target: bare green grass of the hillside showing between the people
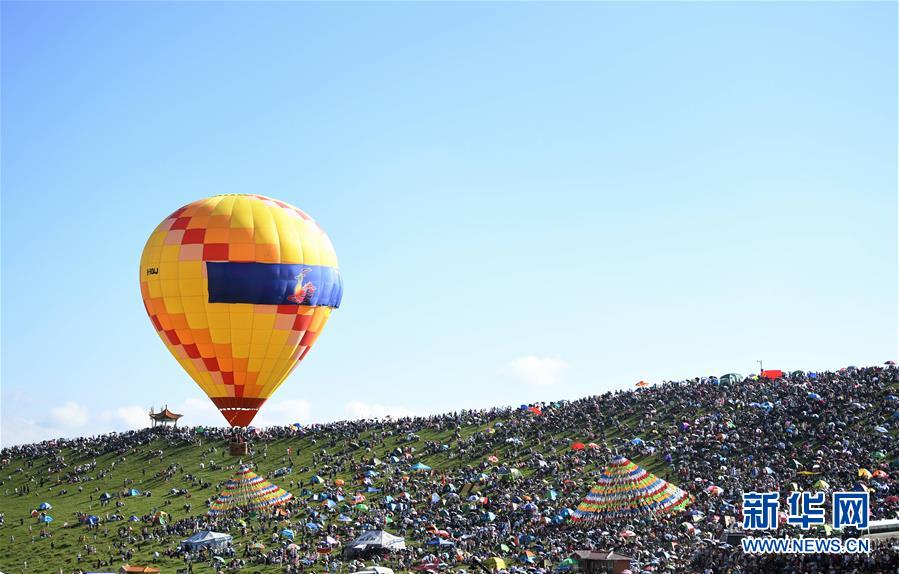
x=20, y=539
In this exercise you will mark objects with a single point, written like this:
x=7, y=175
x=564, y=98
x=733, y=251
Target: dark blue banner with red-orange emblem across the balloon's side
x=273, y=284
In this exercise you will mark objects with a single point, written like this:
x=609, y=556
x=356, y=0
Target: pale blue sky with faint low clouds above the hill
x=529, y=201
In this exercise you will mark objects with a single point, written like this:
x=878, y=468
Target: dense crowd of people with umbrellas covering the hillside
x=504, y=482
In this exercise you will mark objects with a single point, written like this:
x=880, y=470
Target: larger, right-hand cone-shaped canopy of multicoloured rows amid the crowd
x=625, y=489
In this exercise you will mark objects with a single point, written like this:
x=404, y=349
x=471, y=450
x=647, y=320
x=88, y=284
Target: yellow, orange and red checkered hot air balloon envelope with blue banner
x=239, y=287
